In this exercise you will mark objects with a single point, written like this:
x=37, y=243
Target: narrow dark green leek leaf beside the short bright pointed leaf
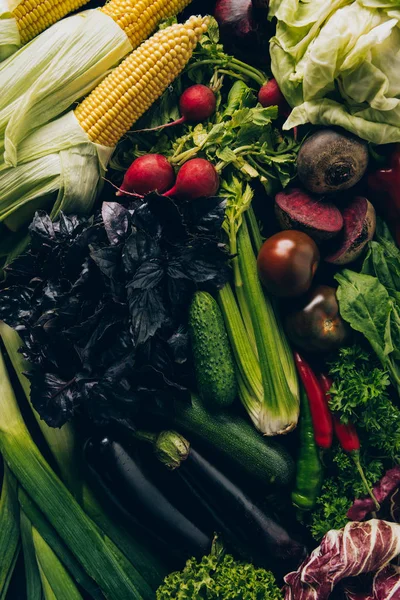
x=36, y=518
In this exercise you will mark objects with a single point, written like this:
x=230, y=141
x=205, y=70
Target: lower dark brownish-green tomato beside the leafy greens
x=316, y=325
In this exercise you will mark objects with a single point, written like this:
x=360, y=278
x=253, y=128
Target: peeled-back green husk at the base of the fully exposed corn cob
x=59, y=161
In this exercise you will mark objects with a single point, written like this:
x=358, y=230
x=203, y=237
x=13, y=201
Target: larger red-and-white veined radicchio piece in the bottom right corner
x=356, y=549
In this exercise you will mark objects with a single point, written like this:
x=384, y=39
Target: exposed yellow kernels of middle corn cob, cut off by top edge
x=139, y=18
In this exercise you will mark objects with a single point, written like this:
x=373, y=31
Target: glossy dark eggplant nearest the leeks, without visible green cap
x=138, y=496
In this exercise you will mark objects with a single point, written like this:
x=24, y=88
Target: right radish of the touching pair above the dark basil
x=197, y=178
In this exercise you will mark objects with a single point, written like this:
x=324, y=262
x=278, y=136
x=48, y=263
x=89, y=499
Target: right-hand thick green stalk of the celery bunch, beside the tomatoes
x=279, y=412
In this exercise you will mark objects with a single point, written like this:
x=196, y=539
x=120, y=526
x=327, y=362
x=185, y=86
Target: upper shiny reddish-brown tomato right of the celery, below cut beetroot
x=287, y=263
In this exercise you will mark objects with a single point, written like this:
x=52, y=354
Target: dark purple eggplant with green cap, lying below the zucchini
x=246, y=526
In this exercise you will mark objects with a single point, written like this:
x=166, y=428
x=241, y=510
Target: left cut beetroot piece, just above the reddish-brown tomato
x=296, y=209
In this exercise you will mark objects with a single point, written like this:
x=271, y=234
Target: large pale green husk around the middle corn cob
x=70, y=59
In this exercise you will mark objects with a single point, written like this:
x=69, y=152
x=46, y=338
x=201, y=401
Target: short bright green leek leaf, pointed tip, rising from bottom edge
x=58, y=577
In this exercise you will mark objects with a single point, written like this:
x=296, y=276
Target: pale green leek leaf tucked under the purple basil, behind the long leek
x=62, y=442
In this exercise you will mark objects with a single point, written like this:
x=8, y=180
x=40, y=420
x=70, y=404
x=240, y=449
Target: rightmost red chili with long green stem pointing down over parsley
x=347, y=437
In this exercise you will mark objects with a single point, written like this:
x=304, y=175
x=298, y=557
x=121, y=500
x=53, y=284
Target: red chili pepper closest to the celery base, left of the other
x=320, y=414
